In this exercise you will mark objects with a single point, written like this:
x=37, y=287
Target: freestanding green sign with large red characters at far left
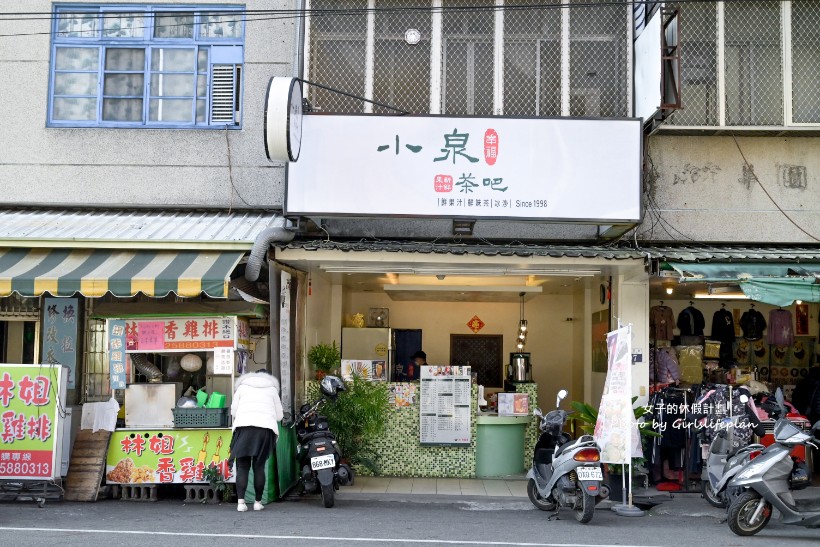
x=30, y=421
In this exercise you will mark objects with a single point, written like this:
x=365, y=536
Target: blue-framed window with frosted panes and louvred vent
x=148, y=65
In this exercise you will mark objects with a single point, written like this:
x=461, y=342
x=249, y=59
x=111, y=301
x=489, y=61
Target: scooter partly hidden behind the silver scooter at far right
x=726, y=457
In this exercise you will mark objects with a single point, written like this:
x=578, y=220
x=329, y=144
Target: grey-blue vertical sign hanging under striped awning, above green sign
x=60, y=334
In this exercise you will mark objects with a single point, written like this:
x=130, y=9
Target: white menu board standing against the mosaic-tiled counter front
x=445, y=406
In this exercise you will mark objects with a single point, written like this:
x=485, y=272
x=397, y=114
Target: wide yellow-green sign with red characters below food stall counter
x=166, y=456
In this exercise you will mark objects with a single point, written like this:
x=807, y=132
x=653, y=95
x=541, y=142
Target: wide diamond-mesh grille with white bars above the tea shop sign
x=367, y=52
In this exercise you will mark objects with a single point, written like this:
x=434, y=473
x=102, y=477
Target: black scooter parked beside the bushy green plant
x=318, y=453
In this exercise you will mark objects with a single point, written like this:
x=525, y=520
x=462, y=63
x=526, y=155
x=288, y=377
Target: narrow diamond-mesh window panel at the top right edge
x=805, y=61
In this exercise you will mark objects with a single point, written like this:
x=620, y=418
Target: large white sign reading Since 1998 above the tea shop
x=563, y=169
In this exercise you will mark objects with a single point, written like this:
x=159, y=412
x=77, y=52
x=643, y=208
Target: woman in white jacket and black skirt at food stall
x=256, y=410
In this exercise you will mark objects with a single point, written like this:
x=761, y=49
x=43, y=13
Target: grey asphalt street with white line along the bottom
x=363, y=519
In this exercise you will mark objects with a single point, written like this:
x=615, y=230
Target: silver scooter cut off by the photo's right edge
x=768, y=480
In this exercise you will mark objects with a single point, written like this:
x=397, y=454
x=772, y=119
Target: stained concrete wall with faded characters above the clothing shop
x=705, y=189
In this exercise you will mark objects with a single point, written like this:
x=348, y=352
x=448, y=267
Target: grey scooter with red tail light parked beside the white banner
x=564, y=473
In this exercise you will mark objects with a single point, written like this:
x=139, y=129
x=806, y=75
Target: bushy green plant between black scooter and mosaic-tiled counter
x=358, y=417
